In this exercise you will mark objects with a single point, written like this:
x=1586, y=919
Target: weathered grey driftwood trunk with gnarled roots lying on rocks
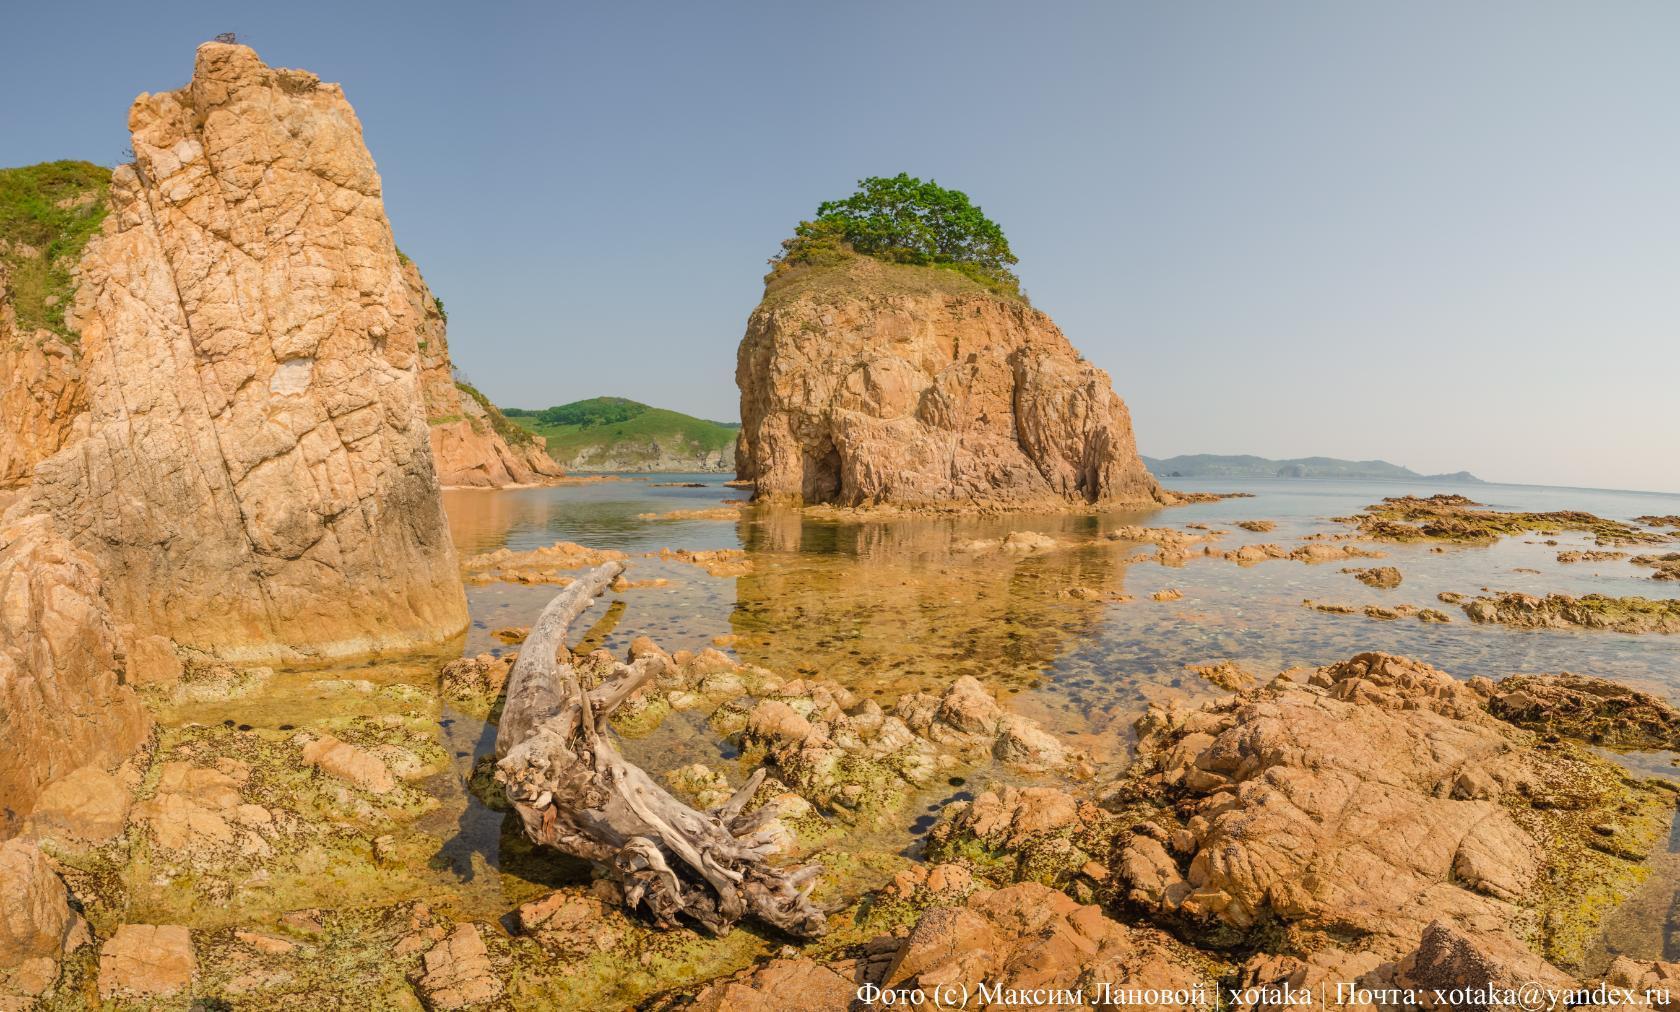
x=575, y=793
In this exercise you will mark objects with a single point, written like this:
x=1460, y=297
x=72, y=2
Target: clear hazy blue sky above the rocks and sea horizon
x=1442, y=235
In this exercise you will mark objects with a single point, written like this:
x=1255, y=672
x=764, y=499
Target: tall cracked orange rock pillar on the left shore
x=258, y=455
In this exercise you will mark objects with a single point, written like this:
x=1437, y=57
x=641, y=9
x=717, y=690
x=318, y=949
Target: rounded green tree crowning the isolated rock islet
x=906, y=221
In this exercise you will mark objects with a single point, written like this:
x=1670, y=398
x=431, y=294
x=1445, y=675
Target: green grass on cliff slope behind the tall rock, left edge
x=53, y=209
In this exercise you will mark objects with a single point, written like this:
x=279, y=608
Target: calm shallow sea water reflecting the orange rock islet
x=893, y=601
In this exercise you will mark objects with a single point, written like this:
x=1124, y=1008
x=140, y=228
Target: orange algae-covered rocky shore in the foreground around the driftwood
x=1375, y=823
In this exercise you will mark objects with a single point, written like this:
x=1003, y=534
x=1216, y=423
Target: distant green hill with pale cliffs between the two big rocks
x=621, y=435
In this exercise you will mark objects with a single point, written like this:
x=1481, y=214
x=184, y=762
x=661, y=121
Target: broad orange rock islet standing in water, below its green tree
x=874, y=384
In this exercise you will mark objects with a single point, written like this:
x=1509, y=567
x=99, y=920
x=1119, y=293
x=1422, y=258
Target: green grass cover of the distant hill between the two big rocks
x=609, y=421
